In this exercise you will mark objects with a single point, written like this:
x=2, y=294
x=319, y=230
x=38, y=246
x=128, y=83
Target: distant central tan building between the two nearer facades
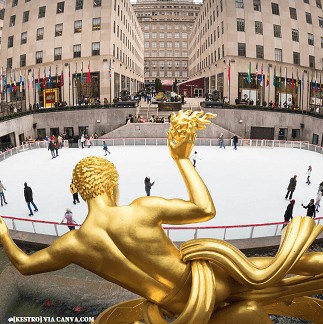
x=166, y=26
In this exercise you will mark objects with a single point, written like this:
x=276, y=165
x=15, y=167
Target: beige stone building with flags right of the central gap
x=267, y=51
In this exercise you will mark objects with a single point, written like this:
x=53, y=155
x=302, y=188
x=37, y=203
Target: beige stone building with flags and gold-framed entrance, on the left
x=70, y=51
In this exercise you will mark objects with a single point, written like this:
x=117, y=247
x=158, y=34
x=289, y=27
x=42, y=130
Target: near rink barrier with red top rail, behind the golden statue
x=176, y=233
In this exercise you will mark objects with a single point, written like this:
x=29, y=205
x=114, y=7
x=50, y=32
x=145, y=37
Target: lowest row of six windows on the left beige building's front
x=57, y=54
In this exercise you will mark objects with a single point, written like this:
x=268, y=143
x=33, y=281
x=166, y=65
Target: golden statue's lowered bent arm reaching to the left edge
x=52, y=258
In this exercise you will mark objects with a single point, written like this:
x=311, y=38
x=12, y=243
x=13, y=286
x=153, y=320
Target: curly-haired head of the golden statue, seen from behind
x=94, y=176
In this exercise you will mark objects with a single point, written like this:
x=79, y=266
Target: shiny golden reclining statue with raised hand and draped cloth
x=207, y=281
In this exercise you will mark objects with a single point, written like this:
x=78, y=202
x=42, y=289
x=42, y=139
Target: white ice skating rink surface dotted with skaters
x=247, y=185
